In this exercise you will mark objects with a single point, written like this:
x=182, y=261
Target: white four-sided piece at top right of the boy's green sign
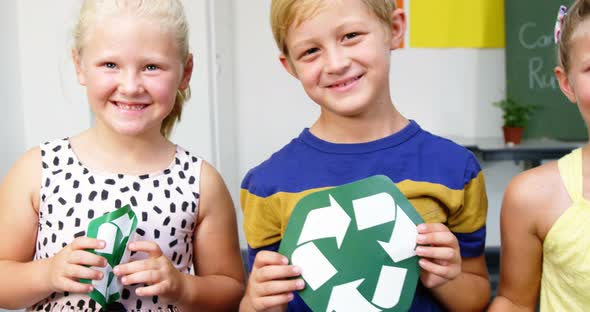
x=373, y=210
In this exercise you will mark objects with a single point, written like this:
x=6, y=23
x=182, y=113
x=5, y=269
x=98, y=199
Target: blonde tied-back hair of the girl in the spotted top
x=169, y=12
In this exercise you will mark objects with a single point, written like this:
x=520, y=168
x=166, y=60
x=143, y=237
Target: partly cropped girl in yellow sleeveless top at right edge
x=545, y=213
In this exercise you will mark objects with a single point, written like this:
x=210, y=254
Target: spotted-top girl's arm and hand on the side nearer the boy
x=219, y=281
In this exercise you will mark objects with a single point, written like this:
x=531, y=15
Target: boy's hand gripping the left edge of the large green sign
x=269, y=288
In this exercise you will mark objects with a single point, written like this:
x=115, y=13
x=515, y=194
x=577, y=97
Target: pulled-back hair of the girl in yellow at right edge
x=576, y=15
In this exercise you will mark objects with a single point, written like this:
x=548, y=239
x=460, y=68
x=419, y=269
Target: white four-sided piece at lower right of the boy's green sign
x=389, y=286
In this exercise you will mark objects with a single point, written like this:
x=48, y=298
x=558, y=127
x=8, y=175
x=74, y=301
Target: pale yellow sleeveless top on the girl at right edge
x=565, y=282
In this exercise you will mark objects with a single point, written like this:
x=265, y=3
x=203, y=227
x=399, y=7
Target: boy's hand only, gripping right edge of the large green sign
x=439, y=250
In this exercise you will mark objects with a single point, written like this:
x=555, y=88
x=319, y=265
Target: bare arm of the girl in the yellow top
x=522, y=249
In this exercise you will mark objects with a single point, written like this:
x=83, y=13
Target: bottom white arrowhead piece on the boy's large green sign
x=347, y=298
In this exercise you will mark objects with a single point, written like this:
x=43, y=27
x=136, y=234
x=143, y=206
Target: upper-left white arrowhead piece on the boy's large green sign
x=325, y=222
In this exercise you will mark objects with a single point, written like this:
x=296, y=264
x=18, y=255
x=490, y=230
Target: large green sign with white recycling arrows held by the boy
x=356, y=246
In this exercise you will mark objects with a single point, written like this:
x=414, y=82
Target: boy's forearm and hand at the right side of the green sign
x=459, y=283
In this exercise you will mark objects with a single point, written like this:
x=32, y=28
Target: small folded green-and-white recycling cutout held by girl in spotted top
x=115, y=229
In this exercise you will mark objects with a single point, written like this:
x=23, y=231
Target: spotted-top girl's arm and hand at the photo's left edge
x=25, y=282
